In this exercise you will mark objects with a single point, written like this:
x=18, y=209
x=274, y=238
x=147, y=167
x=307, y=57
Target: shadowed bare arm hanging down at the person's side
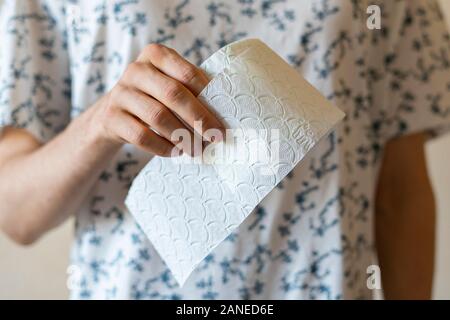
x=405, y=221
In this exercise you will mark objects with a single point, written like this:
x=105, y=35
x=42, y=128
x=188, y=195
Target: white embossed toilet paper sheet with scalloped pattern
x=187, y=209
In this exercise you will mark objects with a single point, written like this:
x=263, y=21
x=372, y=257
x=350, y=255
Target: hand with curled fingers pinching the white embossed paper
x=145, y=107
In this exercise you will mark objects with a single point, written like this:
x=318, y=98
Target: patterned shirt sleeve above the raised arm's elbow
x=34, y=69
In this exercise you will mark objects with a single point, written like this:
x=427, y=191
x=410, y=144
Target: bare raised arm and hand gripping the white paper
x=155, y=91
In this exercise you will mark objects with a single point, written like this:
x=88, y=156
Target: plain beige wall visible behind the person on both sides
x=39, y=271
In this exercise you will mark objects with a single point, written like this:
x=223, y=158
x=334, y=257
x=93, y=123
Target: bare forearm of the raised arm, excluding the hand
x=40, y=189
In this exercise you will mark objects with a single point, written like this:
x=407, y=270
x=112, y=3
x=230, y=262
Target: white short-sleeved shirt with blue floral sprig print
x=311, y=238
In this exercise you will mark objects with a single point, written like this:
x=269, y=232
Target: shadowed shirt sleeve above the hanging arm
x=415, y=93
